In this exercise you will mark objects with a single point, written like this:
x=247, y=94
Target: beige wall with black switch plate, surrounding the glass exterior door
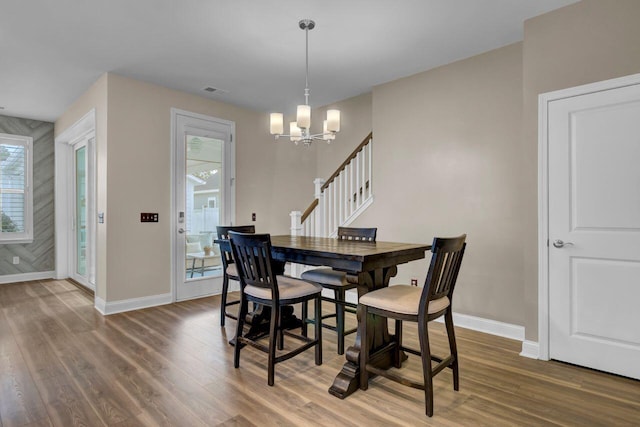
x=272, y=178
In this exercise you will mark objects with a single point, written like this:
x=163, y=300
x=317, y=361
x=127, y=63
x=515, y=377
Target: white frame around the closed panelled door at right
x=543, y=193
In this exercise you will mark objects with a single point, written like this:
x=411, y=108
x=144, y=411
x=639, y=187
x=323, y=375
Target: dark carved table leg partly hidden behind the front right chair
x=348, y=379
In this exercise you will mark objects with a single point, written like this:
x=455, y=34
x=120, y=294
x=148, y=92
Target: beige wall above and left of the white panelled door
x=586, y=42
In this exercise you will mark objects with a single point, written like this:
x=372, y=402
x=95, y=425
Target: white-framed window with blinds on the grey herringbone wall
x=15, y=189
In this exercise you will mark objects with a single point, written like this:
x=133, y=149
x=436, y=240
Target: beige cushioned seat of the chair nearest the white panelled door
x=403, y=299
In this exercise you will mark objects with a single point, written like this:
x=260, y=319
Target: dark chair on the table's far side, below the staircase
x=339, y=282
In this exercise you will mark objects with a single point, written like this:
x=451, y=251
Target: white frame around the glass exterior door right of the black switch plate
x=228, y=180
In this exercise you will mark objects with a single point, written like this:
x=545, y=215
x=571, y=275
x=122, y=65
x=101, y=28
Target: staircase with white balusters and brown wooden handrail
x=340, y=199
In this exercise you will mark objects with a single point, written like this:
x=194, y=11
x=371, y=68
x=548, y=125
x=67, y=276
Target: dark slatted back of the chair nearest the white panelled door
x=443, y=271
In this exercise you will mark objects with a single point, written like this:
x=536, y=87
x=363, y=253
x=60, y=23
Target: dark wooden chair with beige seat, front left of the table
x=259, y=284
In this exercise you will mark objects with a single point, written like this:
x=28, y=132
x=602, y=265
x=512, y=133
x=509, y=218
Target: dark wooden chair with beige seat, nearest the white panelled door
x=421, y=305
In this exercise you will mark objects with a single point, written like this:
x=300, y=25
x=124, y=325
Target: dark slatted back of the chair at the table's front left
x=252, y=254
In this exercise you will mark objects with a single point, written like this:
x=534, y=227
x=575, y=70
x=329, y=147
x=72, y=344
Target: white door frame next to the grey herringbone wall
x=85, y=128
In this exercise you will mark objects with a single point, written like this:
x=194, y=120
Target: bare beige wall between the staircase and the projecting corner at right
x=447, y=161
